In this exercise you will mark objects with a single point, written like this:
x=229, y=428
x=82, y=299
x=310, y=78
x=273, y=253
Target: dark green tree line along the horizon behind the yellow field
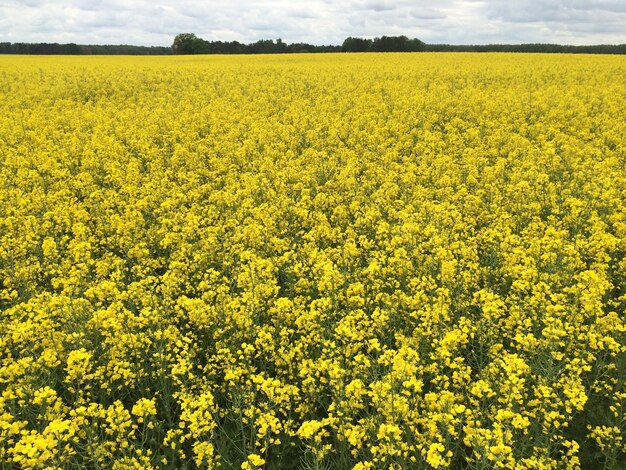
x=189, y=43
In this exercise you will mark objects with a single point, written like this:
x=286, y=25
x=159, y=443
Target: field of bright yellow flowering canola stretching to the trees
x=313, y=261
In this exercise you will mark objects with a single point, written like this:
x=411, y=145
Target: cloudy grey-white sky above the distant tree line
x=157, y=22
